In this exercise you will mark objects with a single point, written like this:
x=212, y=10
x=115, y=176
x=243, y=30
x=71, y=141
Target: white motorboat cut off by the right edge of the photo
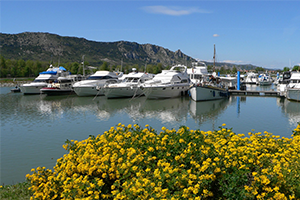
x=293, y=88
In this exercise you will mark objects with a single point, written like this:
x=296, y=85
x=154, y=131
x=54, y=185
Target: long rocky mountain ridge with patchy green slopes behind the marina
x=47, y=47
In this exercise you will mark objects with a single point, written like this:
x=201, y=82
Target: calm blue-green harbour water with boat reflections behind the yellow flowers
x=34, y=128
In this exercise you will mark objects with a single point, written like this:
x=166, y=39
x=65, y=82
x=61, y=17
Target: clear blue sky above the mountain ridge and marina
x=263, y=33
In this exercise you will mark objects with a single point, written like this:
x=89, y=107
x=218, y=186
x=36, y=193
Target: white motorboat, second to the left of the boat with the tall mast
x=129, y=86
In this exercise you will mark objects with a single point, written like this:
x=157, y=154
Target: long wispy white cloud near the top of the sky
x=174, y=11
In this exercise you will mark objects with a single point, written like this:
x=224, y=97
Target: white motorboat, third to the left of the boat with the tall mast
x=93, y=85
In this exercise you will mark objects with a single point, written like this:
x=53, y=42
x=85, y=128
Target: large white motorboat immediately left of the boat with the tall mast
x=168, y=84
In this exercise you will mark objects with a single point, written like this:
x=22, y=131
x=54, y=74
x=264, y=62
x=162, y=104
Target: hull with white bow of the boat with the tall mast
x=206, y=93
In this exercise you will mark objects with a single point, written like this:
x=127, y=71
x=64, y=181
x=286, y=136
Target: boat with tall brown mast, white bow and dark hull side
x=209, y=88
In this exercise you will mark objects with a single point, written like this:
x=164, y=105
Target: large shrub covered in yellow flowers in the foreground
x=138, y=163
